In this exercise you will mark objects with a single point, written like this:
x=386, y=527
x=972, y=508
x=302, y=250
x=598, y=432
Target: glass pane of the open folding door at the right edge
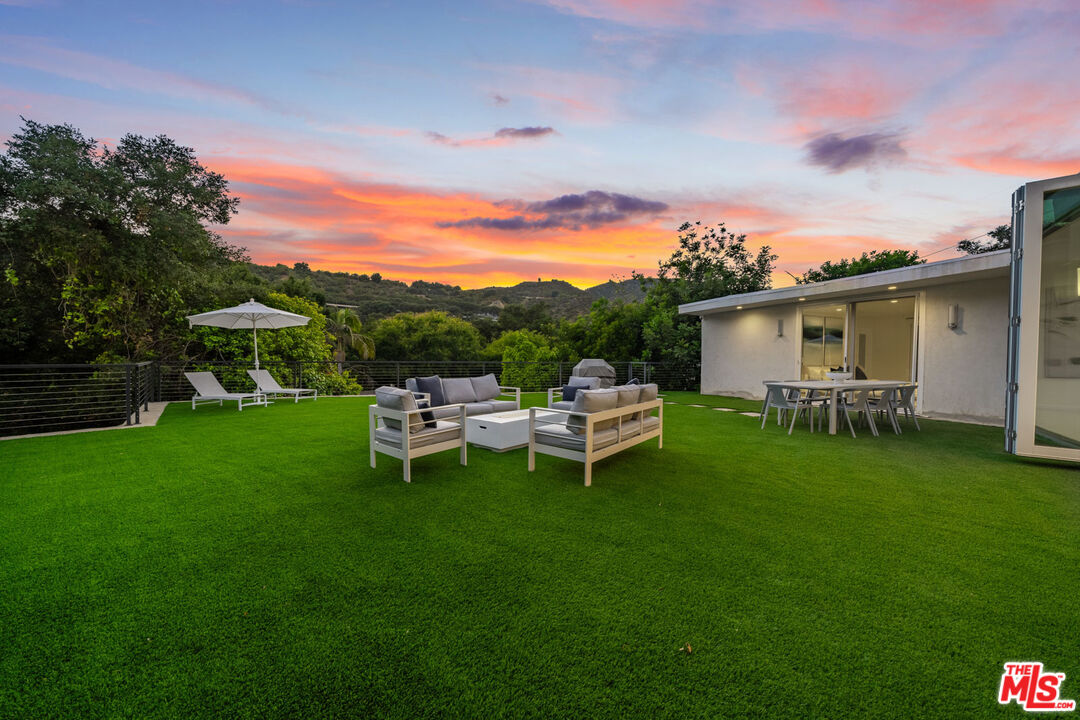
x=1058, y=390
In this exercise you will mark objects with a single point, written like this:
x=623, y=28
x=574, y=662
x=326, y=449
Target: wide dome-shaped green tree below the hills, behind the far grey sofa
x=429, y=336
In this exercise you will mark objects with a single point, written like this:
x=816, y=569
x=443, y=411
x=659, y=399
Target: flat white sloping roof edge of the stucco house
x=957, y=270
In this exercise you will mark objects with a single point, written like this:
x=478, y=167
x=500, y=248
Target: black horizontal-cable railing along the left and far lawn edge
x=38, y=399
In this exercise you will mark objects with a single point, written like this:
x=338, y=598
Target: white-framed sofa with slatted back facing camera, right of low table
x=600, y=424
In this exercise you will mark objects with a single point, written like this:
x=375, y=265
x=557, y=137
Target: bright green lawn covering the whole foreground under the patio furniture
x=251, y=564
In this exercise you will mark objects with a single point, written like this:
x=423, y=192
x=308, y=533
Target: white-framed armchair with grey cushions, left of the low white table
x=398, y=428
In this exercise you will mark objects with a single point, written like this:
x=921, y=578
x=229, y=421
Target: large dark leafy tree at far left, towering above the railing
x=105, y=250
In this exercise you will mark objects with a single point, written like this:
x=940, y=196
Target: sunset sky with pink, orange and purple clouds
x=493, y=142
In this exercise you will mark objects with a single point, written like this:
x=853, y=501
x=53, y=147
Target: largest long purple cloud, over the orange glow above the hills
x=573, y=212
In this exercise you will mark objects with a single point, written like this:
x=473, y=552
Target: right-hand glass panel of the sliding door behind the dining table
x=884, y=338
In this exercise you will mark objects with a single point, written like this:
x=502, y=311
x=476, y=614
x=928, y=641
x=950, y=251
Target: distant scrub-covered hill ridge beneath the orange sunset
x=373, y=296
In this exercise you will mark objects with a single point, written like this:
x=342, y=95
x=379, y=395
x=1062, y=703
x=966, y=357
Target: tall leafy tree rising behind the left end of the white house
x=710, y=262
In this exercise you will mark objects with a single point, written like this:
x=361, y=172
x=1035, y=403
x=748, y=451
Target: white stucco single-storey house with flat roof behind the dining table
x=943, y=325
